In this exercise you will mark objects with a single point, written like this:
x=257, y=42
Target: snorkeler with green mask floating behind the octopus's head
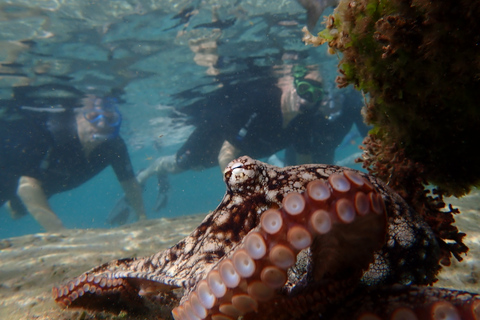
x=259, y=118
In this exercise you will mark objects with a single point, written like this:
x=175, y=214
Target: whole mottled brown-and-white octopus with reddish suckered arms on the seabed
x=300, y=242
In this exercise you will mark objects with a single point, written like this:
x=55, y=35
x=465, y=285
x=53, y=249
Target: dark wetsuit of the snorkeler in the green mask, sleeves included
x=249, y=117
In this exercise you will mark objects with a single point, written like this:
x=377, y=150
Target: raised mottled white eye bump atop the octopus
x=242, y=174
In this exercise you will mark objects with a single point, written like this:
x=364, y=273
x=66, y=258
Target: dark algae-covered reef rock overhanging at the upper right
x=418, y=63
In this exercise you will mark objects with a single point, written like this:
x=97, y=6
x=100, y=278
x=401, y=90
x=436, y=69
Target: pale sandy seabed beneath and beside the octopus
x=31, y=265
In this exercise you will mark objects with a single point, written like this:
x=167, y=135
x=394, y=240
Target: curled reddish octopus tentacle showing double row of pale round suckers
x=255, y=271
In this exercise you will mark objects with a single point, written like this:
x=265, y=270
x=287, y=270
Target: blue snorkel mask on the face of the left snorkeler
x=106, y=117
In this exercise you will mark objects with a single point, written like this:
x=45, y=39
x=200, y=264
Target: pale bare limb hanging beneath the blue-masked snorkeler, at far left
x=33, y=197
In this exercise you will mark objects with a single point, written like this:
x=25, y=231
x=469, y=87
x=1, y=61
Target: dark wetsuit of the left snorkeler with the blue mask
x=50, y=151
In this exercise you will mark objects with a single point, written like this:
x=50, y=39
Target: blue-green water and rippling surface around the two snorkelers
x=144, y=49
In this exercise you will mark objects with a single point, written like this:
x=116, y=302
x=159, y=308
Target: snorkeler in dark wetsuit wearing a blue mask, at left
x=54, y=149
